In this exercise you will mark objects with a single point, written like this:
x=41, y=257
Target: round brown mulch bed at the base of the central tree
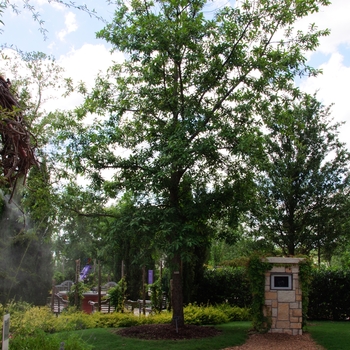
x=168, y=332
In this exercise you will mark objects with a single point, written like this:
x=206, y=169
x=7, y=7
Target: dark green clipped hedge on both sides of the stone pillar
x=329, y=296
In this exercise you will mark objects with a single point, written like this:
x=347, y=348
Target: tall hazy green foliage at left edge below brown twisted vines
x=26, y=256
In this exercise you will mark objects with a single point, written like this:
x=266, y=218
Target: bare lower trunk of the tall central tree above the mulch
x=176, y=296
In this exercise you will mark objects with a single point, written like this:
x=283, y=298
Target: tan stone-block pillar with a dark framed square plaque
x=283, y=296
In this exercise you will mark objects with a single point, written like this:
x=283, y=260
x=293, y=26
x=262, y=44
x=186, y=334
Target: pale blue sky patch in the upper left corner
x=67, y=28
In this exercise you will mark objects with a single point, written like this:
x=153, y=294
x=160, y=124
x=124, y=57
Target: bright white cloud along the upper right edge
x=332, y=85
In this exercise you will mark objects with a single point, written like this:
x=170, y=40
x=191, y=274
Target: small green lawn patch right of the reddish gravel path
x=331, y=335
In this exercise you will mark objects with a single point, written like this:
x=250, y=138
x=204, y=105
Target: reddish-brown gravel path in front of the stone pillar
x=273, y=341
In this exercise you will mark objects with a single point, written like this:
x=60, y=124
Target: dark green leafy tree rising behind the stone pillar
x=302, y=202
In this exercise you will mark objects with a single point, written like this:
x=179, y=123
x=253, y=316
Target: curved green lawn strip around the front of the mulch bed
x=234, y=333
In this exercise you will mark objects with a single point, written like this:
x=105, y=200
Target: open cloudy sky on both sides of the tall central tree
x=71, y=40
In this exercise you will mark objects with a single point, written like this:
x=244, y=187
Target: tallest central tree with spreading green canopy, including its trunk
x=178, y=128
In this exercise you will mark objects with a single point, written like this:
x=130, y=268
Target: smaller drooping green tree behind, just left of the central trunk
x=128, y=239
